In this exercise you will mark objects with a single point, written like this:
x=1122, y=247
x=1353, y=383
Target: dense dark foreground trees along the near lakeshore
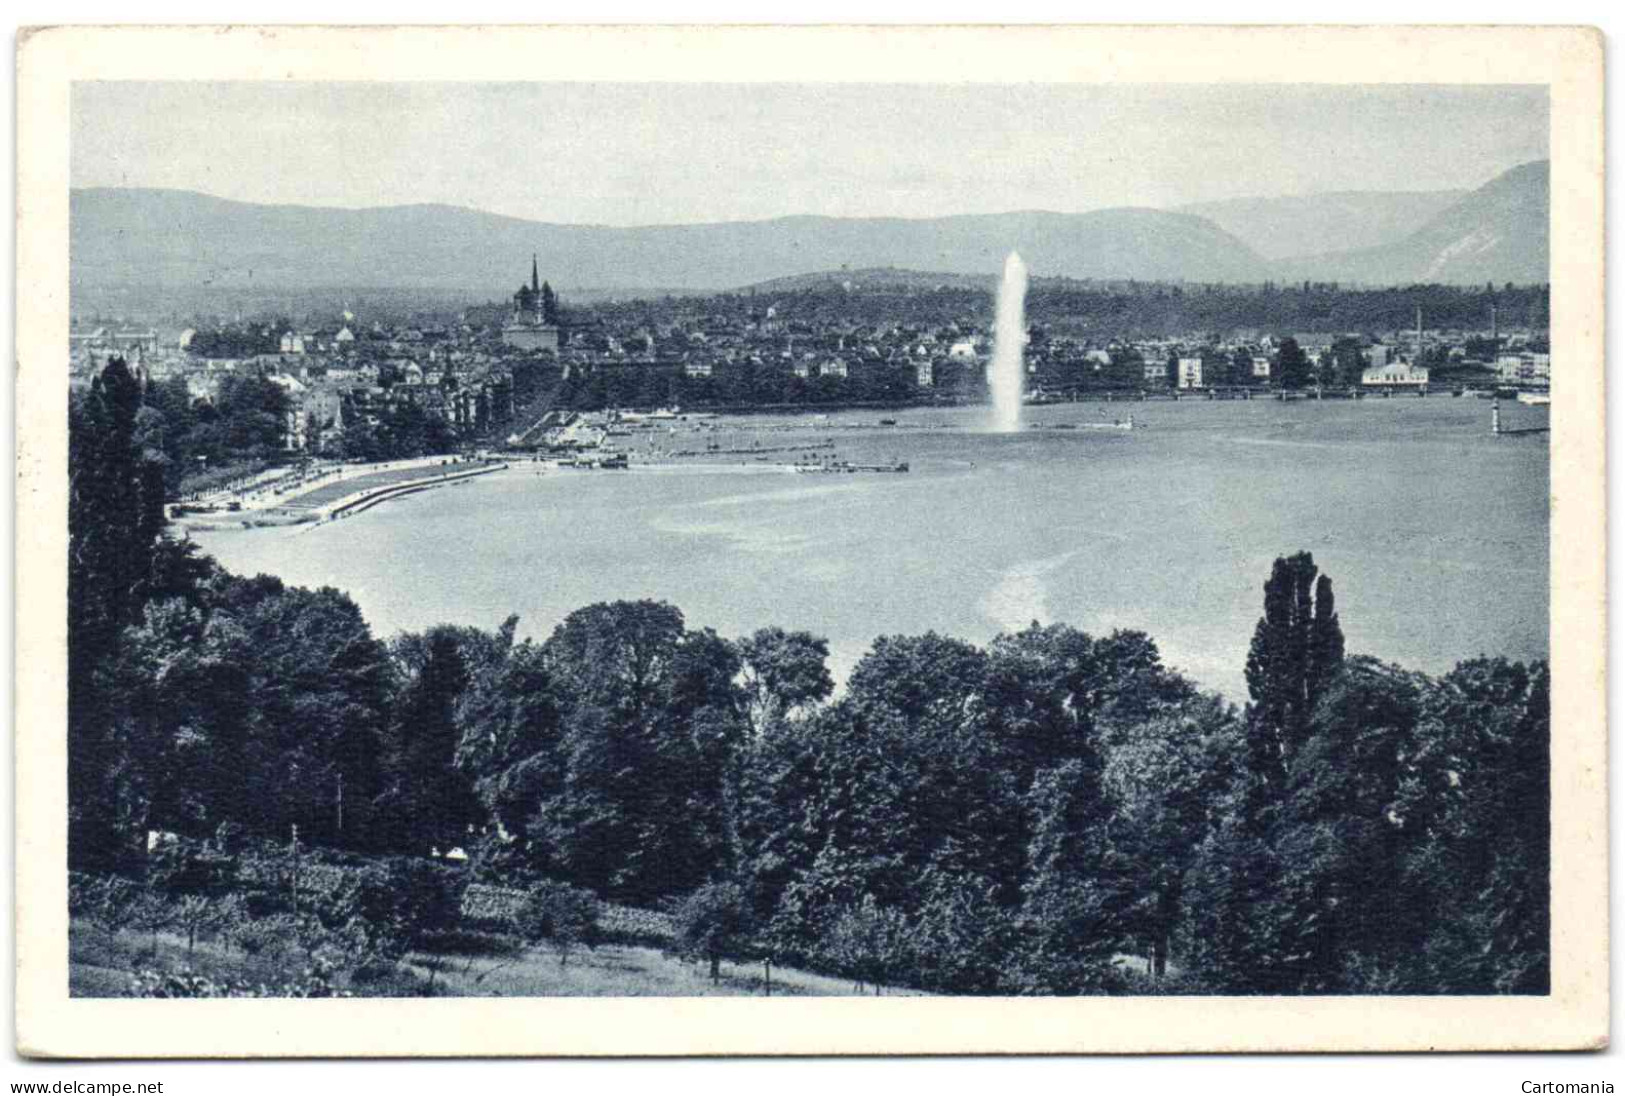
x=1012, y=819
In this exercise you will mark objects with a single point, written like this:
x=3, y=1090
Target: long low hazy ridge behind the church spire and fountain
x=184, y=238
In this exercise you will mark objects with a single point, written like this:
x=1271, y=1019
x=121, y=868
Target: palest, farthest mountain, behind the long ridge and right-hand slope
x=1319, y=224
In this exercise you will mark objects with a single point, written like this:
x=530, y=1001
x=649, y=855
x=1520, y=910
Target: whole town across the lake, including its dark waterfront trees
x=479, y=372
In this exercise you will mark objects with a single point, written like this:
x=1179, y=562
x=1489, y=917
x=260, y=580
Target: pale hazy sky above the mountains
x=670, y=154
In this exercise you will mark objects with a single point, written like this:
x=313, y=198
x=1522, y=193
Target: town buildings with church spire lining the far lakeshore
x=461, y=368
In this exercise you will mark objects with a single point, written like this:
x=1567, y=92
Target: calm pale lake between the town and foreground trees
x=1432, y=531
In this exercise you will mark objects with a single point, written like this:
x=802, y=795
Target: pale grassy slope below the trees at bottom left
x=103, y=965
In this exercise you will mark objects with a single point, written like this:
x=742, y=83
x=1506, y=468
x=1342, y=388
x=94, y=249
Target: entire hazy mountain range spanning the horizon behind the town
x=180, y=238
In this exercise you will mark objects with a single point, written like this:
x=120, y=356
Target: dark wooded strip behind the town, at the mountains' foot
x=1124, y=307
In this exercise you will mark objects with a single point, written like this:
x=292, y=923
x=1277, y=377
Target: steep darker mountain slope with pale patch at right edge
x=1497, y=233
